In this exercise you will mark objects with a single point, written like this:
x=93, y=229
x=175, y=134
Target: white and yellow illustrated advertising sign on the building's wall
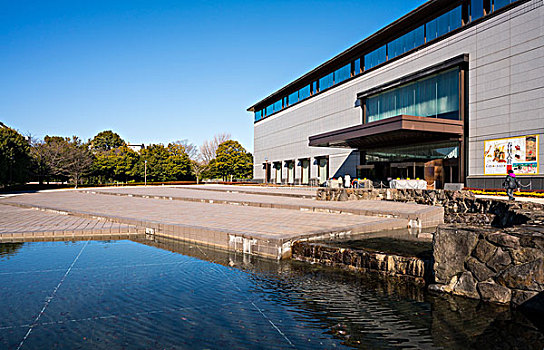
x=517, y=153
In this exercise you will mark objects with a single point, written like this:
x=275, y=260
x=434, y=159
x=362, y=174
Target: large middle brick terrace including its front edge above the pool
x=264, y=231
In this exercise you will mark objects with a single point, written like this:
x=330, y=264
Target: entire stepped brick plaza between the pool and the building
x=254, y=223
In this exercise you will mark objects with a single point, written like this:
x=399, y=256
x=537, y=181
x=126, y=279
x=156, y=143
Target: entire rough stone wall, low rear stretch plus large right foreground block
x=489, y=249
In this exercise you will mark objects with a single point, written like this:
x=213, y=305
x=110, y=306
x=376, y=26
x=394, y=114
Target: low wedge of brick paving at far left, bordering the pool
x=18, y=223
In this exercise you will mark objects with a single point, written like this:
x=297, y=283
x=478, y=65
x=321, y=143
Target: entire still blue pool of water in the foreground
x=163, y=294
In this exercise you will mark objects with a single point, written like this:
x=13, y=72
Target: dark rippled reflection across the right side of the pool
x=370, y=311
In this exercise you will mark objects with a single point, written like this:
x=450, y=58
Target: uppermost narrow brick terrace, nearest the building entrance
x=428, y=216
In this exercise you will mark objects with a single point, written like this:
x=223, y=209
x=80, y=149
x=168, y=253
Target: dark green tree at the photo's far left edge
x=15, y=157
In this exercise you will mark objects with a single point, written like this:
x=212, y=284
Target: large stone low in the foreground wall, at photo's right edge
x=529, y=276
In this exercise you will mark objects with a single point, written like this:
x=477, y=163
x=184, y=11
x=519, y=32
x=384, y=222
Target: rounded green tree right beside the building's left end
x=232, y=160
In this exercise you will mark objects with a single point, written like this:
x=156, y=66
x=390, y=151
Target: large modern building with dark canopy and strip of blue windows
x=452, y=92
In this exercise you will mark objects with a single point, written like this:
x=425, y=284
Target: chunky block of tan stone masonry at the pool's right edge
x=496, y=265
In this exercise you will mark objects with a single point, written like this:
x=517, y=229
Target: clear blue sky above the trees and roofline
x=159, y=71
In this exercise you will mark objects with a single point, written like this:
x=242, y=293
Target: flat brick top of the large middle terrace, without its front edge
x=243, y=219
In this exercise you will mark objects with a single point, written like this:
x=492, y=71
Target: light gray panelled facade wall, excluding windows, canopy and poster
x=505, y=97
